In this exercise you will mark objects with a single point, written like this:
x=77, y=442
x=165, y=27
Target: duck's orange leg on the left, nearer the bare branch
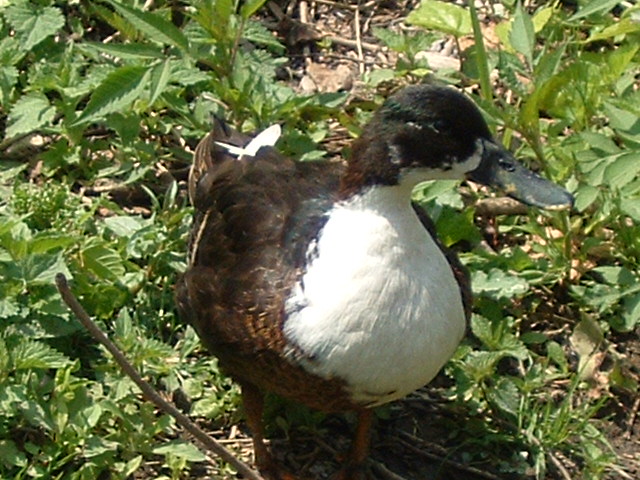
x=253, y=402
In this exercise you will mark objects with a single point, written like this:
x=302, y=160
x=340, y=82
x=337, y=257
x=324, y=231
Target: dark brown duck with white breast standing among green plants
x=322, y=281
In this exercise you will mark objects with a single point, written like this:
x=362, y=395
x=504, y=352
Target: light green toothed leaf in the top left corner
x=32, y=22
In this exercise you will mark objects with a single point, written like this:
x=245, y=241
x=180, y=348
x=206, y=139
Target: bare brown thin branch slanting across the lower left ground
x=148, y=391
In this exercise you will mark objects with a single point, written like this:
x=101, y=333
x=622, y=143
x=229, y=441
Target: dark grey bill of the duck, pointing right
x=499, y=169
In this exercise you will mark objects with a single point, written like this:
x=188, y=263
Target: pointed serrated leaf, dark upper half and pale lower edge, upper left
x=116, y=92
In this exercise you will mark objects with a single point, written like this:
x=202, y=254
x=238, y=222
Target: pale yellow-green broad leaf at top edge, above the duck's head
x=441, y=16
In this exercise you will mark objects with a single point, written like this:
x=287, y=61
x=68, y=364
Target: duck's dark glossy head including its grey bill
x=427, y=132
